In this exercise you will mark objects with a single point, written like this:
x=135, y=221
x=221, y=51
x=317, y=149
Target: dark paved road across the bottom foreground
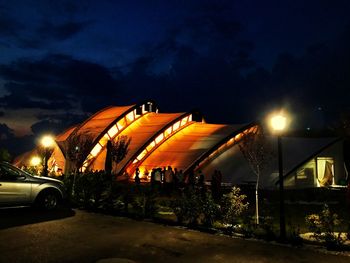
x=77, y=236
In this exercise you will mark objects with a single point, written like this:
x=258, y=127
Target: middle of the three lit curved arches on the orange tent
x=156, y=140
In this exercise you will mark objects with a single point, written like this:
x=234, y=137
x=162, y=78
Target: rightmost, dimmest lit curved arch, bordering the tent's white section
x=223, y=144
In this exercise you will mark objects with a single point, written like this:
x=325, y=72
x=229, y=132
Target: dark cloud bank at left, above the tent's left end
x=57, y=82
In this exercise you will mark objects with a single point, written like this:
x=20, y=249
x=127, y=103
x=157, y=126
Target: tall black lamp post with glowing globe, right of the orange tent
x=278, y=123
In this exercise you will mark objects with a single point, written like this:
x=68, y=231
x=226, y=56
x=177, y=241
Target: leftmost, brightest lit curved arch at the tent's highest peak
x=116, y=126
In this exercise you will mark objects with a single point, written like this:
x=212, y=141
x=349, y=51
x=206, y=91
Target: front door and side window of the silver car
x=15, y=189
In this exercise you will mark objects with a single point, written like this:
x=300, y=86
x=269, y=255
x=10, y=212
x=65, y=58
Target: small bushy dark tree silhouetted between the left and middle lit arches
x=116, y=151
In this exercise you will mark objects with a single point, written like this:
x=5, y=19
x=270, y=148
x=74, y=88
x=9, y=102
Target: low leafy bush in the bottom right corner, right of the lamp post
x=323, y=226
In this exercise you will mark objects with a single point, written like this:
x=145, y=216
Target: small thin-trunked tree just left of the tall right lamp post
x=257, y=151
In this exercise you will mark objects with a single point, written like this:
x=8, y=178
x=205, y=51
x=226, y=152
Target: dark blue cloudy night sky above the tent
x=61, y=61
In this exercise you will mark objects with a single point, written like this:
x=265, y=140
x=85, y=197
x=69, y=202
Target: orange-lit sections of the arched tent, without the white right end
x=179, y=140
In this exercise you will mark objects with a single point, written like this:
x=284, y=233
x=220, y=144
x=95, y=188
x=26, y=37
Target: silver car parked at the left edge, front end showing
x=19, y=188
